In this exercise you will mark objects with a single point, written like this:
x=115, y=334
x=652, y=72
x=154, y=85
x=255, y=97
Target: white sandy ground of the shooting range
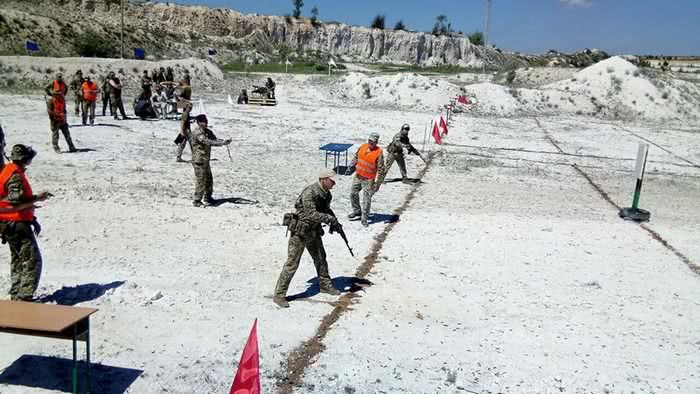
x=507, y=273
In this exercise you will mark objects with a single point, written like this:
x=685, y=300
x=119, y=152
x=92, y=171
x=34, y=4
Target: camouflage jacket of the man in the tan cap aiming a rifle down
x=313, y=208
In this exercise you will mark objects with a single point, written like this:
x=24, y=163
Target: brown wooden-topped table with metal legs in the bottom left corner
x=51, y=321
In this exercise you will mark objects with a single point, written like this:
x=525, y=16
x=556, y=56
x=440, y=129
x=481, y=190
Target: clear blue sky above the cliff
x=640, y=27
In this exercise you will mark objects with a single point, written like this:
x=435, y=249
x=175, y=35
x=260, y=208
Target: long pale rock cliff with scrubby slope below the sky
x=175, y=31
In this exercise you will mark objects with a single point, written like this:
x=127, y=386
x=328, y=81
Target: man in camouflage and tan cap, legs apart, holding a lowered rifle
x=313, y=207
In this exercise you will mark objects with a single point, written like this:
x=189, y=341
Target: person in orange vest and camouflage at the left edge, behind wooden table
x=18, y=225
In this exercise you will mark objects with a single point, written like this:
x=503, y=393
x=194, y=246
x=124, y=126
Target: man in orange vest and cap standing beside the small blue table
x=368, y=163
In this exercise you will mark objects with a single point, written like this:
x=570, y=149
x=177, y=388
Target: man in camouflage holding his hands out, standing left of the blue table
x=202, y=141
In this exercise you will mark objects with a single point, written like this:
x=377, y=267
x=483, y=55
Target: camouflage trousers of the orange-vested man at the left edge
x=25, y=263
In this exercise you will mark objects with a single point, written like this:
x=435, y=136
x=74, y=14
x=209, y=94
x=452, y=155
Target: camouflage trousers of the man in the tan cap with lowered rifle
x=297, y=243
